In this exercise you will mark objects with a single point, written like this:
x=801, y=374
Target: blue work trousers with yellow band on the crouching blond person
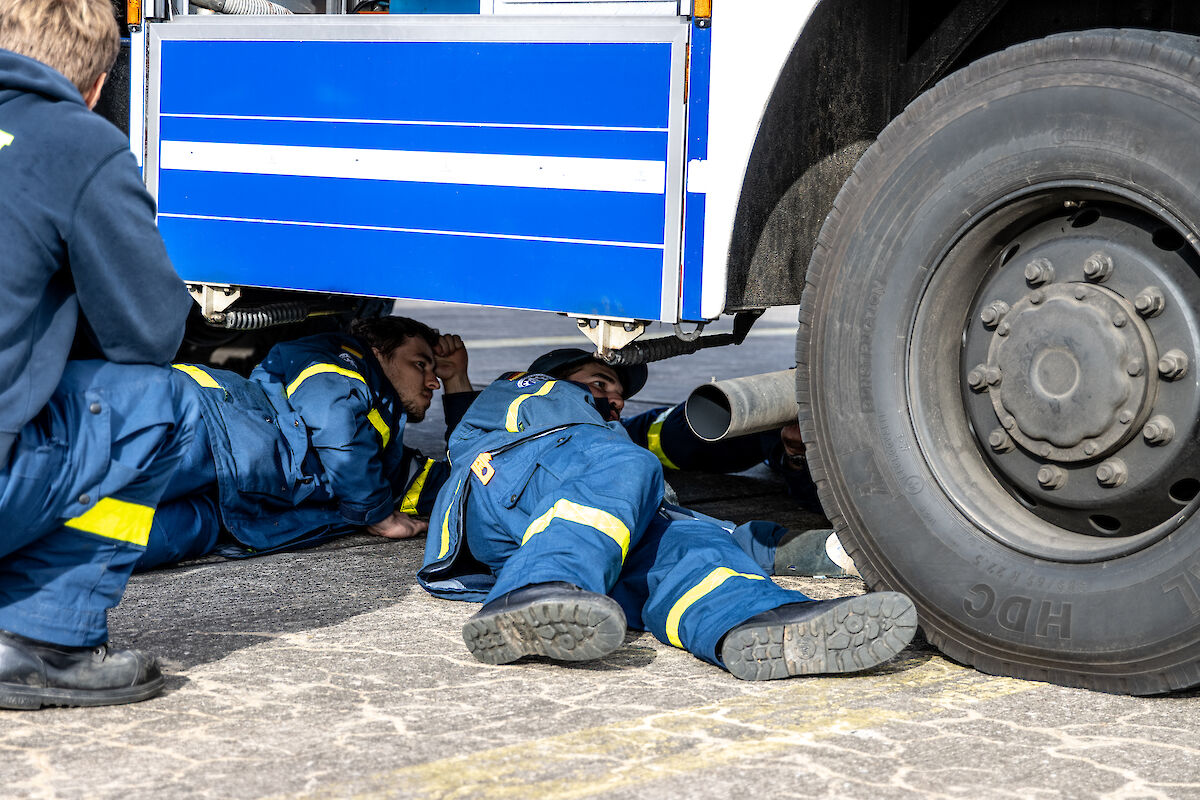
x=80, y=492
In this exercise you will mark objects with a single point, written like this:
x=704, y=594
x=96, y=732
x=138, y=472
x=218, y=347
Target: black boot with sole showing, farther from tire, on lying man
x=557, y=621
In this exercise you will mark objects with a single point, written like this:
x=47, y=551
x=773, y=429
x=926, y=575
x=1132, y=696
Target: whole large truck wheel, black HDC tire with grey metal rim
x=992, y=436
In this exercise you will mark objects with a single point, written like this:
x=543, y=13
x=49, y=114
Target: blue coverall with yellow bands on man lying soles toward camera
x=543, y=489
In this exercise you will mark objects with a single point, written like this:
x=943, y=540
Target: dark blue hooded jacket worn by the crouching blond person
x=77, y=239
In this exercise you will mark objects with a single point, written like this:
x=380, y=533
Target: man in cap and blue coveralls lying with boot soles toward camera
x=555, y=520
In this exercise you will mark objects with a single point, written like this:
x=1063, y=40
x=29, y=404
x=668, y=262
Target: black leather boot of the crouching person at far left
x=35, y=673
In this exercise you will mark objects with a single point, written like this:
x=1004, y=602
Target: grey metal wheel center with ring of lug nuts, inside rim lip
x=1077, y=370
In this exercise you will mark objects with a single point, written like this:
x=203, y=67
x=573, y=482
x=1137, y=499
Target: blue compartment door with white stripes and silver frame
x=529, y=164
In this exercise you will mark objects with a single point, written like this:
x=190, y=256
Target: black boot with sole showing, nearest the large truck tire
x=820, y=637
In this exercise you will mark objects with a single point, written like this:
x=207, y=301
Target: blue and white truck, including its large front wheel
x=987, y=210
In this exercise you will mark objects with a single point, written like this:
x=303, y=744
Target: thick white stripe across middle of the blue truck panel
x=461, y=169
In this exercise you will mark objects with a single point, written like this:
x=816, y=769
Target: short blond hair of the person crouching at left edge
x=77, y=38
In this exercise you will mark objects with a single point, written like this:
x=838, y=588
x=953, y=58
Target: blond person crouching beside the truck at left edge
x=86, y=447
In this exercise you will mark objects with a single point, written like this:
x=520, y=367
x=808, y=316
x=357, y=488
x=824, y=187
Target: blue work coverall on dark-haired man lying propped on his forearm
x=309, y=449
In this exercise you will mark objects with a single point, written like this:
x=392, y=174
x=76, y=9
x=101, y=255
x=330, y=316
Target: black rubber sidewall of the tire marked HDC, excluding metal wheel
x=946, y=161
